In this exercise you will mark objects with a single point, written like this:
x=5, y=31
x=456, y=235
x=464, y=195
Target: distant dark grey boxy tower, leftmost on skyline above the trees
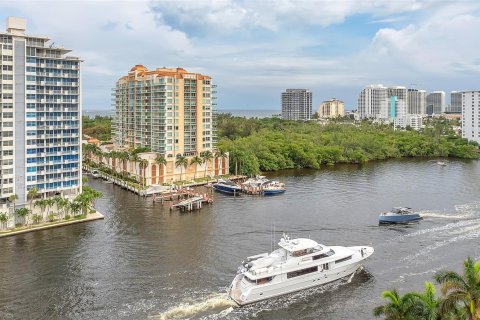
x=296, y=104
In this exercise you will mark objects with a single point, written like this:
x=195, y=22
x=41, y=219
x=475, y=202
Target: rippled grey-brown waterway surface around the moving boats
x=144, y=262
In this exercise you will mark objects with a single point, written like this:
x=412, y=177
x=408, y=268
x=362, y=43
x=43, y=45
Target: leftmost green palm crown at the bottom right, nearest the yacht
x=398, y=308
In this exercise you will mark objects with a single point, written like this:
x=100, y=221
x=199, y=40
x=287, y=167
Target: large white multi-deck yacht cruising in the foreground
x=298, y=264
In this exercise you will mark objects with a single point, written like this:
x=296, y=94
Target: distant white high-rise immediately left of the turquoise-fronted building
x=373, y=102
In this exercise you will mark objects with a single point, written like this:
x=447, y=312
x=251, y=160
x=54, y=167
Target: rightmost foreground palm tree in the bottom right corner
x=461, y=291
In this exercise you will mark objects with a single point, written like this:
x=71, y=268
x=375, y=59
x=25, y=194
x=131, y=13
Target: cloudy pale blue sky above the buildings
x=255, y=49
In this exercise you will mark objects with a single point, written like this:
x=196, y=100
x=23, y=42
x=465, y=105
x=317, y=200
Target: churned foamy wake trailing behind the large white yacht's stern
x=216, y=306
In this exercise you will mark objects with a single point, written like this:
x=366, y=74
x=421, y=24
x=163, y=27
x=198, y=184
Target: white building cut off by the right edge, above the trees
x=471, y=115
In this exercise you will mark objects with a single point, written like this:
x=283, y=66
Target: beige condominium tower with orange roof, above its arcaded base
x=168, y=110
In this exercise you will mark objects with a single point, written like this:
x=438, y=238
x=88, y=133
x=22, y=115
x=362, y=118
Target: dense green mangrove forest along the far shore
x=272, y=144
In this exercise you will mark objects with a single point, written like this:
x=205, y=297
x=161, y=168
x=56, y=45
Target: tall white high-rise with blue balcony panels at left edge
x=40, y=106
